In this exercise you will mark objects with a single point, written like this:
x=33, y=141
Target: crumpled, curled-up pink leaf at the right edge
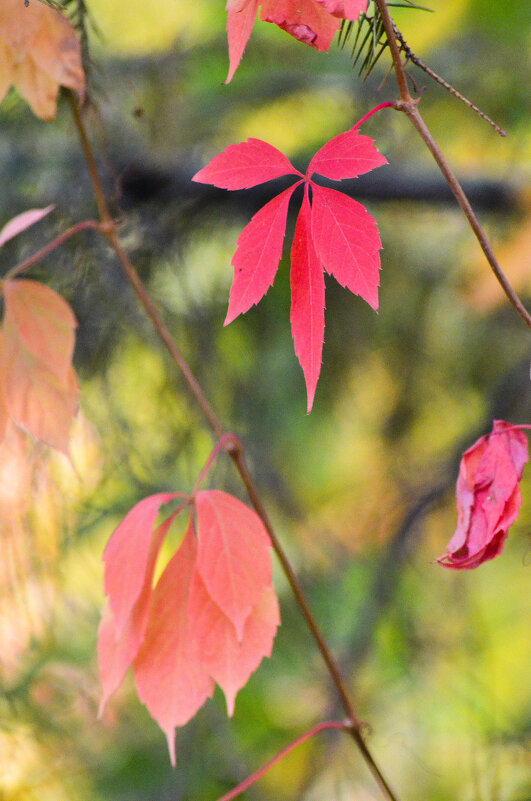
x=488, y=496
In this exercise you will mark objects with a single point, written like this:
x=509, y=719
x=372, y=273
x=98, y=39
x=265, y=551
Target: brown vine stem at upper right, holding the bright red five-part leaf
x=410, y=107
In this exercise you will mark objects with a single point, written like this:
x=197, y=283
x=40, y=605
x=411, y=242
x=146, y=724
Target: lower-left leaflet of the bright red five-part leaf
x=258, y=254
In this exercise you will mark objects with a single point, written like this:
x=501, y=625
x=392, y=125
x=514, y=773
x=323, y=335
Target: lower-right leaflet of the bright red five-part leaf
x=347, y=241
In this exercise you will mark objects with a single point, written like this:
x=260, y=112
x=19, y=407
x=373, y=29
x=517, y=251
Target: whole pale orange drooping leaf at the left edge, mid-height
x=39, y=386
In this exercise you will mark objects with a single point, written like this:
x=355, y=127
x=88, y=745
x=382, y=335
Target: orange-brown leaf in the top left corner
x=39, y=51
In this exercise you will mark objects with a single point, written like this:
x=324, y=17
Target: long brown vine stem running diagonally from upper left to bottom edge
x=233, y=447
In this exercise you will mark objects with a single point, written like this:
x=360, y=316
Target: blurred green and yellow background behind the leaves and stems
x=361, y=491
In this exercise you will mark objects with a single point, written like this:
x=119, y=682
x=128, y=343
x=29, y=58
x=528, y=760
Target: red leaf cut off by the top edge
x=313, y=22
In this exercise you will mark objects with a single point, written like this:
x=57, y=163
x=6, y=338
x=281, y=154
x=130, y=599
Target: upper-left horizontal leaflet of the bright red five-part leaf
x=244, y=165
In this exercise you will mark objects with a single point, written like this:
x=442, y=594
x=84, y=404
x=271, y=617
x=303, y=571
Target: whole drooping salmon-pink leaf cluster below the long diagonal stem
x=211, y=617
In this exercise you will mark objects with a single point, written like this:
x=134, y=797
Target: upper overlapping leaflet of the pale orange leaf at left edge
x=43, y=321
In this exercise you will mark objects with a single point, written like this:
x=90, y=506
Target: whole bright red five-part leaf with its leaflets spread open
x=335, y=232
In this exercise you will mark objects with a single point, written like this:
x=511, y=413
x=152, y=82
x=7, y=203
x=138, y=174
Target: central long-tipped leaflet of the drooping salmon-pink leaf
x=170, y=679
